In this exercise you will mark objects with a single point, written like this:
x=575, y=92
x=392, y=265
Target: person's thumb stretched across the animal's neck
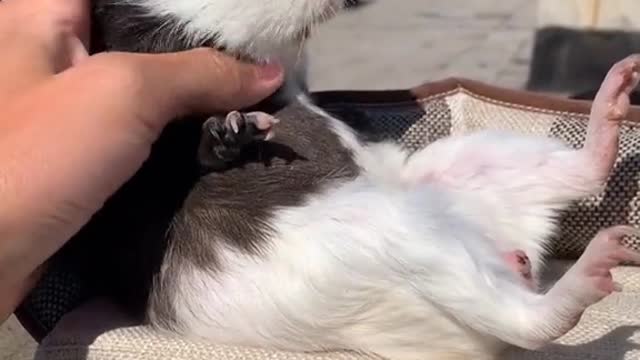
x=203, y=81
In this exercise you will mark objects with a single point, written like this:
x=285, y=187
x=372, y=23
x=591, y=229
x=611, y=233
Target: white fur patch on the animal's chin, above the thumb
x=265, y=30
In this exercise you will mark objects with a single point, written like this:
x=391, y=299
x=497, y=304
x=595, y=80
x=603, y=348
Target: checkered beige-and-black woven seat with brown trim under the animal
x=67, y=329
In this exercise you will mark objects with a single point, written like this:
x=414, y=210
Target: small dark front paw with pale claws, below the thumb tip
x=223, y=138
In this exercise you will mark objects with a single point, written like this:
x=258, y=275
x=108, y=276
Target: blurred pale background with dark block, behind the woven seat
x=563, y=47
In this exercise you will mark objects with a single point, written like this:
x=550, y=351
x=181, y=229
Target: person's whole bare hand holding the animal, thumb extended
x=74, y=128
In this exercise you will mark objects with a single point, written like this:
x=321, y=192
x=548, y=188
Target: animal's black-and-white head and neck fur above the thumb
x=257, y=30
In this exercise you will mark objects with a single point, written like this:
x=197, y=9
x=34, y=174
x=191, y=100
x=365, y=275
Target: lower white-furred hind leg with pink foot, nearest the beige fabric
x=520, y=317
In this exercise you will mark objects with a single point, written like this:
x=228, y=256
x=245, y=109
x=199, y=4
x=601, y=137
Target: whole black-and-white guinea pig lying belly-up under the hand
x=290, y=230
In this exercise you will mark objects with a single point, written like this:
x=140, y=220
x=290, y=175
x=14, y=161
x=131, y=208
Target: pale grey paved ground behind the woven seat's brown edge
x=398, y=44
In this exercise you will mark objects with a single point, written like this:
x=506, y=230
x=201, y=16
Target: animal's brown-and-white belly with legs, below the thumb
x=301, y=236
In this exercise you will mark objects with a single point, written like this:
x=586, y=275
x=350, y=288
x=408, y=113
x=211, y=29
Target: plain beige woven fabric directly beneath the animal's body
x=608, y=330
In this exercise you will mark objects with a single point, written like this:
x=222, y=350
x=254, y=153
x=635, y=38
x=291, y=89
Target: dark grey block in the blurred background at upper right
x=575, y=61
